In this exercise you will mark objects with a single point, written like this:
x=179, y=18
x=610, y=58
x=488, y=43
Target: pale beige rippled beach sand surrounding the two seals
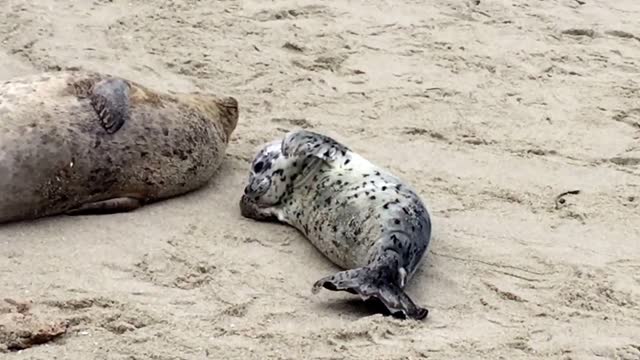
x=489, y=111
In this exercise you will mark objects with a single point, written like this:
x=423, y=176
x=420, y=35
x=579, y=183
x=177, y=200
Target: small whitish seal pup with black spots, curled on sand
x=359, y=216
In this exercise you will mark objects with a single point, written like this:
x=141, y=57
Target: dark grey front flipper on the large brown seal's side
x=110, y=100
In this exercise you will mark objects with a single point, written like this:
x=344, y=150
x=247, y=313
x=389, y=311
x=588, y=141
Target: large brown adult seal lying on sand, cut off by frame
x=81, y=142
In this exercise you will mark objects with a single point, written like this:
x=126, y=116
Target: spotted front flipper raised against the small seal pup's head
x=303, y=143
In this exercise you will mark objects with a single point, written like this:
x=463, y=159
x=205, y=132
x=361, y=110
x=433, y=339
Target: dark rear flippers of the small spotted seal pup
x=368, y=283
